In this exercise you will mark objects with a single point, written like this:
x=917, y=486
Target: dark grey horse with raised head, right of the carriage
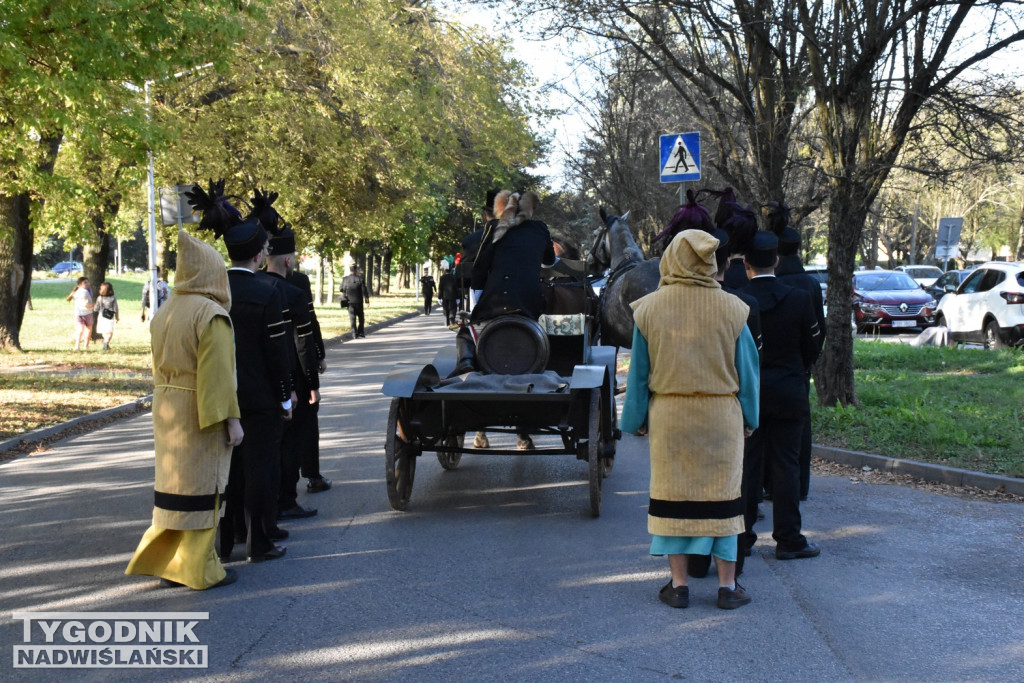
x=631, y=277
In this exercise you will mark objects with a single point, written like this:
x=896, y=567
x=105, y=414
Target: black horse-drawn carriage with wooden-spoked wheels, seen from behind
x=544, y=378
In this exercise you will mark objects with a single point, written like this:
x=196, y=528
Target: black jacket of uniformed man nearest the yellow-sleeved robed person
x=261, y=345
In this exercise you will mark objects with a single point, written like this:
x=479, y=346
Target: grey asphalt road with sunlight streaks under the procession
x=499, y=573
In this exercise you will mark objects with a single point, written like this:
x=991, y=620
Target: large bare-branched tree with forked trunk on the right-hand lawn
x=876, y=69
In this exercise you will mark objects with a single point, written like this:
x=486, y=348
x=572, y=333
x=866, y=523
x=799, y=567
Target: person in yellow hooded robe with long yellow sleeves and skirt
x=195, y=422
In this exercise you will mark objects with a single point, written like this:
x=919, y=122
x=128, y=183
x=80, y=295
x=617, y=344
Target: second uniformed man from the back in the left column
x=305, y=368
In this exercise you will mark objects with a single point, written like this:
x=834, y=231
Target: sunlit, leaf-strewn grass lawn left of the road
x=50, y=383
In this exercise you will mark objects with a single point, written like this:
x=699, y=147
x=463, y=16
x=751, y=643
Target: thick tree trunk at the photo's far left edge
x=16, y=266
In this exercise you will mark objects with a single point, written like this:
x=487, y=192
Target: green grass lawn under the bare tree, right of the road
x=958, y=407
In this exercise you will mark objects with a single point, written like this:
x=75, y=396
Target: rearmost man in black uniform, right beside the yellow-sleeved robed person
x=265, y=398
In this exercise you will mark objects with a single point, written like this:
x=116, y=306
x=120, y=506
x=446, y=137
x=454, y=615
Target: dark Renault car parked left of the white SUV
x=890, y=300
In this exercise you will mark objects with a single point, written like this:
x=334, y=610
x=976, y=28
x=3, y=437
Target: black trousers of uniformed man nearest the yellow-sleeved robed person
x=251, y=498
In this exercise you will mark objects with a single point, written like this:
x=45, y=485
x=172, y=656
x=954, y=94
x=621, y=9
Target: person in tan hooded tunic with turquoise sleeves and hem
x=695, y=381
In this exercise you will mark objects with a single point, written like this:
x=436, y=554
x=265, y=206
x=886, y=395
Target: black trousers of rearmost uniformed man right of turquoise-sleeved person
x=780, y=440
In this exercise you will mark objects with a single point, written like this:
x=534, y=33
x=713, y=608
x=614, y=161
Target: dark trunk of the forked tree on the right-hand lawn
x=848, y=208
